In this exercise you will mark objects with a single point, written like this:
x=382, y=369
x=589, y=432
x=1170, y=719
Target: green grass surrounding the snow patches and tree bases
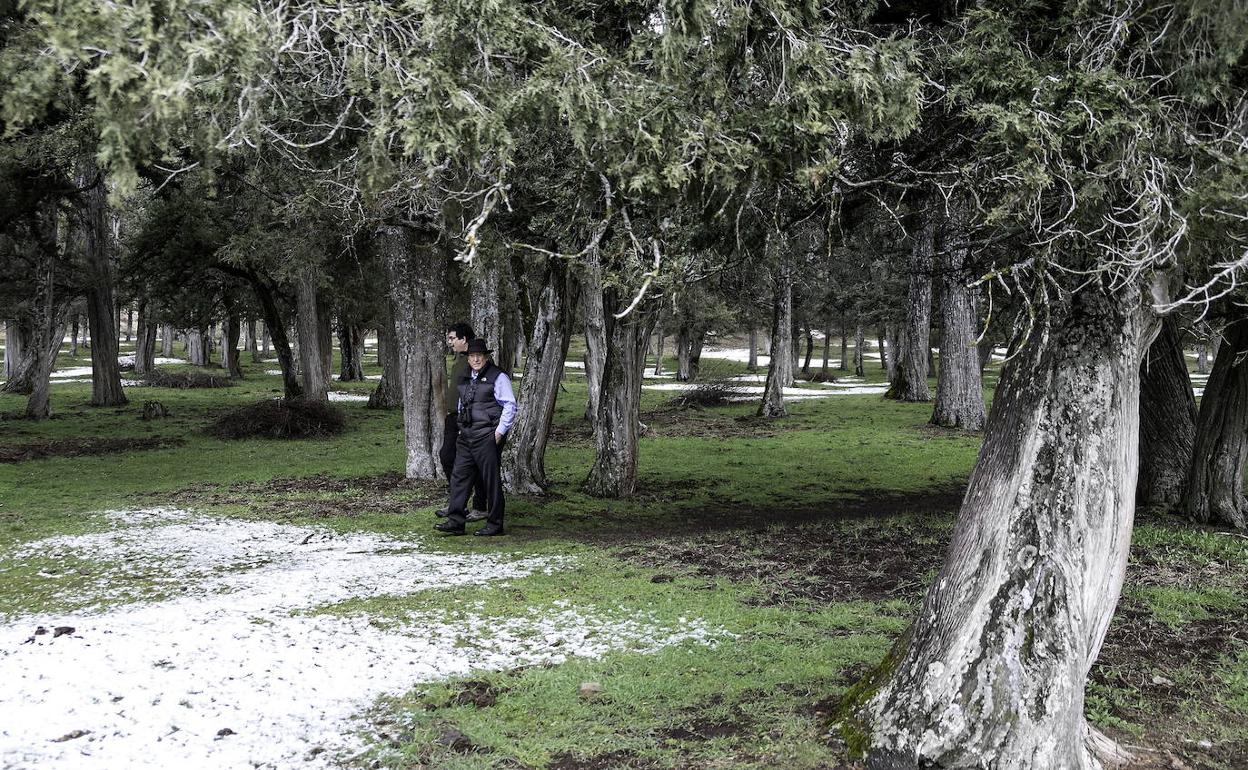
x=779, y=663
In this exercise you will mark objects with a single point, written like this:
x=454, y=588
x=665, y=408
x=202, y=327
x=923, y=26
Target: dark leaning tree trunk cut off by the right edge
x=1215, y=490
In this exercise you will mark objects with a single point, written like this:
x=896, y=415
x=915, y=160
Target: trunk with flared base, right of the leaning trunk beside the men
x=617, y=429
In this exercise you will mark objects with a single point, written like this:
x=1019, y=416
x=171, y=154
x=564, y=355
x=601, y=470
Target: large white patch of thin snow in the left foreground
x=222, y=670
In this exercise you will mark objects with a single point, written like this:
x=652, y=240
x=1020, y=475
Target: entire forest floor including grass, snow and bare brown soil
x=288, y=603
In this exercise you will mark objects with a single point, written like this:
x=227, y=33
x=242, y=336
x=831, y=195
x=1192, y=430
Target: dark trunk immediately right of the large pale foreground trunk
x=1168, y=420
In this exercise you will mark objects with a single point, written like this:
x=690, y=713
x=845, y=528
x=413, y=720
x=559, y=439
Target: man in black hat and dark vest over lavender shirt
x=487, y=409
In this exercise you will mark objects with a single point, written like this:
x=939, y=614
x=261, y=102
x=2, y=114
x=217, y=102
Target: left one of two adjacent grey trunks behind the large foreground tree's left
x=910, y=376
